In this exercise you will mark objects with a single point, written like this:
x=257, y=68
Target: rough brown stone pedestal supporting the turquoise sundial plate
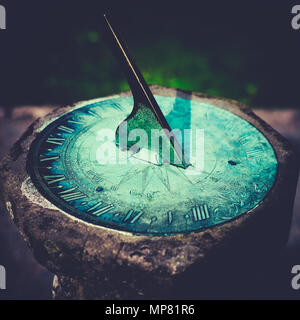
x=93, y=262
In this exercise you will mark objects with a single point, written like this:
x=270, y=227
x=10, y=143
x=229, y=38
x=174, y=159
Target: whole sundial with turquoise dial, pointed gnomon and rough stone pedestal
x=145, y=184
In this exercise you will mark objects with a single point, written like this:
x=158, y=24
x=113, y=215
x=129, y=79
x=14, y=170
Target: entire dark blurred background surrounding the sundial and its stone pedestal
x=53, y=53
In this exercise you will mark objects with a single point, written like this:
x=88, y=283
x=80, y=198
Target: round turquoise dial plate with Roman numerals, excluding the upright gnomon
x=82, y=172
